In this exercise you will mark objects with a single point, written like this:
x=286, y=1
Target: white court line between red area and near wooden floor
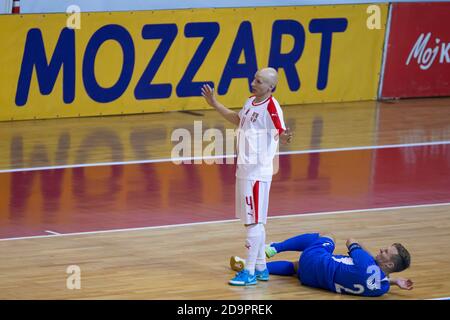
x=226, y=221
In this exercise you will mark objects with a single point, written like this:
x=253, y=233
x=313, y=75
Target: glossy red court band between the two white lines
x=99, y=198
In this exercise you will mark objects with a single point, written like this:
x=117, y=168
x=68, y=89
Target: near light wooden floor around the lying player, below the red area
x=191, y=262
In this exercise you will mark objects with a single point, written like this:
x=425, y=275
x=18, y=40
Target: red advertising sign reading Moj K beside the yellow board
x=418, y=53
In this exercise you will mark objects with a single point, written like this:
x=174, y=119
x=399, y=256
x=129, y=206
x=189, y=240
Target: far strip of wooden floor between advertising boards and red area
x=40, y=143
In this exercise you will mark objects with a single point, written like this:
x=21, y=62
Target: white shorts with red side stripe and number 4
x=252, y=200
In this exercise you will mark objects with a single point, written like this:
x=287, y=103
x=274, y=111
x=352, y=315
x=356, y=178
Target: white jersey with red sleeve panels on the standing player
x=257, y=138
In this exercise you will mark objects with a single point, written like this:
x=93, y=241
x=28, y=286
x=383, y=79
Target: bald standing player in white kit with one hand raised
x=261, y=125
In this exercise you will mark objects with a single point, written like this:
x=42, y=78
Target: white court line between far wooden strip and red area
x=182, y=159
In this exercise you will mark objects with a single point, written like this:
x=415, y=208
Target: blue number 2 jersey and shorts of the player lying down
x=357, y=273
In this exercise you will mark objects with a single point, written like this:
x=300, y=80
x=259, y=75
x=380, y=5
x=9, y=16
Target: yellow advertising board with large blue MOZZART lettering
x=153, y=61
